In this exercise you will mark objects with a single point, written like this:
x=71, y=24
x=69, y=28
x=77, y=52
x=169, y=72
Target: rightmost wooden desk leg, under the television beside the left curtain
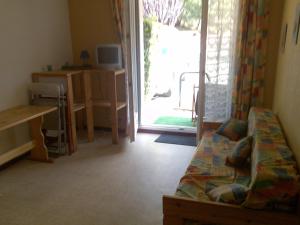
x=114, y=111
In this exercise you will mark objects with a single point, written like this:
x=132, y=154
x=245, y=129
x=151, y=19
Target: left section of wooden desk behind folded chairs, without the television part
x=74, y=107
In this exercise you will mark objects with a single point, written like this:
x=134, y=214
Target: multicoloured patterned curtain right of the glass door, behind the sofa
x=250, y=57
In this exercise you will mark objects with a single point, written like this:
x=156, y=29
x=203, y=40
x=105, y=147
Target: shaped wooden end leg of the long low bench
x=39, y=152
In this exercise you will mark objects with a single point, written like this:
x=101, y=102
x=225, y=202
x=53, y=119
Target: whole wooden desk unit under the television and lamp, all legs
x=89, y=100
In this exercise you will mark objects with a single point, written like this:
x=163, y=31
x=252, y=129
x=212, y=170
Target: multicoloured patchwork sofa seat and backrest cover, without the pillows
x=272, y=177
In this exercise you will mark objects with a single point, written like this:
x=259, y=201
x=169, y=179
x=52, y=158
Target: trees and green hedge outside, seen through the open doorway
x=184, y=14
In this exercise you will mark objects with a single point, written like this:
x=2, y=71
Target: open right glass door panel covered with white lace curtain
x=218, y=37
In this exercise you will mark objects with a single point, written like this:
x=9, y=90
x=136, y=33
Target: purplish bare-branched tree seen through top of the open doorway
x=165, y=11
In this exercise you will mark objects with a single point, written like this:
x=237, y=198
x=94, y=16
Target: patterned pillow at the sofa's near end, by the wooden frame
x=229, y=193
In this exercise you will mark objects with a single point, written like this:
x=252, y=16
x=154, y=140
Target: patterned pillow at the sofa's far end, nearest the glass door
x=233, y=129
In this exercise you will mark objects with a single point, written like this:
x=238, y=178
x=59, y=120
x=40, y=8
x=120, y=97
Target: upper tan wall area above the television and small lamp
x=92, y=23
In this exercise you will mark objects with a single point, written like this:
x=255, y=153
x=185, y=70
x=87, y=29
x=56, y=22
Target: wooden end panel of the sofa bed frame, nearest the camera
x=176, y=210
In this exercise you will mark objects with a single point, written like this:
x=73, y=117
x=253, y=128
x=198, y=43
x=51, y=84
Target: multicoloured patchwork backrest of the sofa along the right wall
x=275, y=179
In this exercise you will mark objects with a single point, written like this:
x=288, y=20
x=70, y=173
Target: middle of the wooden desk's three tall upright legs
x=88, y=105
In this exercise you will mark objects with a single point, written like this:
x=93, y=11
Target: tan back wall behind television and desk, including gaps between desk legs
x=92, y=23
